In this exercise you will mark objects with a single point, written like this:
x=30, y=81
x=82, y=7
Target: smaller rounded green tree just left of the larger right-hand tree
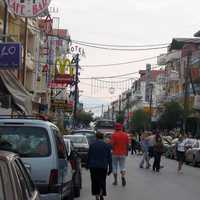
x=139, y=120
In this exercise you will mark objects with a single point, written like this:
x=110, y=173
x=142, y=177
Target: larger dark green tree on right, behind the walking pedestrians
x=171, y=116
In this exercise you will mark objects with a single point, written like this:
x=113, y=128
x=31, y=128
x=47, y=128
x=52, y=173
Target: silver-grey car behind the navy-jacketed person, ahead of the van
x=81, y=145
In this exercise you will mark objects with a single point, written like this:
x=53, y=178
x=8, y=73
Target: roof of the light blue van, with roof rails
x=26, y=121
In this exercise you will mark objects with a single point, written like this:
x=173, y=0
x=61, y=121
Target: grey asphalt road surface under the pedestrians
x=144, y=184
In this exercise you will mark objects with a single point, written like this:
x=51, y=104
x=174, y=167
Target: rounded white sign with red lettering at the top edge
x=28, y=8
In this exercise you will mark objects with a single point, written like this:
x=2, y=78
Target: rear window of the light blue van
x=26, y=141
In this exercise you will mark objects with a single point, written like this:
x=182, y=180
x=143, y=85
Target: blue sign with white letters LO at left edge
x=10, y=55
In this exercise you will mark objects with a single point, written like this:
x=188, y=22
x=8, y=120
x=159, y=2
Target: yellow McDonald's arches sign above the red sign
x=64, y=66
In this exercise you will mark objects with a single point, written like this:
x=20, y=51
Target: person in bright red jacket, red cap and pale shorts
x=120, y=144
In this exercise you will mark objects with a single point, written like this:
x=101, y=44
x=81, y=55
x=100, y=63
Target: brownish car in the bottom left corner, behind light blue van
x=15, y=181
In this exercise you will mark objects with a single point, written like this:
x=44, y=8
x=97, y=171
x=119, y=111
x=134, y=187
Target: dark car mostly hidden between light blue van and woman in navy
x=76, y=166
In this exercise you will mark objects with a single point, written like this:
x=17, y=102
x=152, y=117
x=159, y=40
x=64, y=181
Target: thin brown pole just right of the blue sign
x=25, y=51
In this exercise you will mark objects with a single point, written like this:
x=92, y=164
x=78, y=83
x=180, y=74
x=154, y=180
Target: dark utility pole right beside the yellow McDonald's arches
x=76, y=88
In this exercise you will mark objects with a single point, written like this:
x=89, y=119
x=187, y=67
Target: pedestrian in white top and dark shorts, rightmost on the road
x=180, y=152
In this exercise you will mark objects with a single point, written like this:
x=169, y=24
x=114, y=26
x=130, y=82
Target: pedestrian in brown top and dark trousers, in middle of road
x=157, y=152
